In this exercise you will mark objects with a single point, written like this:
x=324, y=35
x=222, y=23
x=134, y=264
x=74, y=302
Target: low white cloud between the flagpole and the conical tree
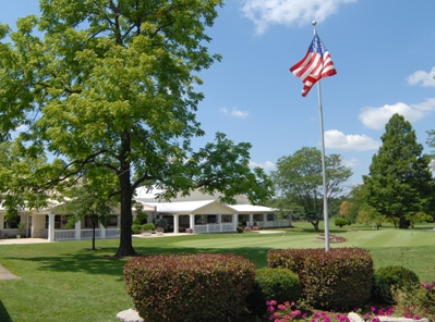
x=335, y=139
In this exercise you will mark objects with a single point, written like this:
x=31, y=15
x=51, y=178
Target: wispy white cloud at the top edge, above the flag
x=287, y=12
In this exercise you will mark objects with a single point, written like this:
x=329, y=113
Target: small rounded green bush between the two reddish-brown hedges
x=278, y=284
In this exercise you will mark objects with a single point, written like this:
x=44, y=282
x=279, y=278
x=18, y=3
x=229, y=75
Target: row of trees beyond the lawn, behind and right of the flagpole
x=399, y=188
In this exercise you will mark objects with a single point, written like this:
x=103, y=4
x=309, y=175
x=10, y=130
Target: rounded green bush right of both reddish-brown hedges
x=387, y=277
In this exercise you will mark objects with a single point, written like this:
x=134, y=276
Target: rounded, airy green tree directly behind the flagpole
x=299, y=181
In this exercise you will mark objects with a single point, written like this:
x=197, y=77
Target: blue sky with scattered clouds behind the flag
x=384, y=53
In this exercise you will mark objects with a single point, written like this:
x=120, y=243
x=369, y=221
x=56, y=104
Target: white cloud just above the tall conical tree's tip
x=377, y=117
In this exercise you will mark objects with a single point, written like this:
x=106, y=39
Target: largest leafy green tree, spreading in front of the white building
x=112, y=85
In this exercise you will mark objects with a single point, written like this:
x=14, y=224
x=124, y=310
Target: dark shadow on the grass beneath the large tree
x=101, y=261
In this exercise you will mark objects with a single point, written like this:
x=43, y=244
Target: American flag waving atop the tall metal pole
x=315, y=65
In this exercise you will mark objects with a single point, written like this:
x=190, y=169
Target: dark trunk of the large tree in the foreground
x=126, y=240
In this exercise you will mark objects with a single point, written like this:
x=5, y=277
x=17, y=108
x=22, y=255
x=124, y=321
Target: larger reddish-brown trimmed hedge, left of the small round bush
x=184, y=288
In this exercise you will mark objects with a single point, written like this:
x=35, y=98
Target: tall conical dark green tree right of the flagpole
x=399, y=183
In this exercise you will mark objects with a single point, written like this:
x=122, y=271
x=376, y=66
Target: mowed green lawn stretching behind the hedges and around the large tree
x=66, y=281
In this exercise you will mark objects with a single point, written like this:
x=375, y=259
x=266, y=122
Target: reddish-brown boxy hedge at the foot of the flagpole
x=340, y=279
